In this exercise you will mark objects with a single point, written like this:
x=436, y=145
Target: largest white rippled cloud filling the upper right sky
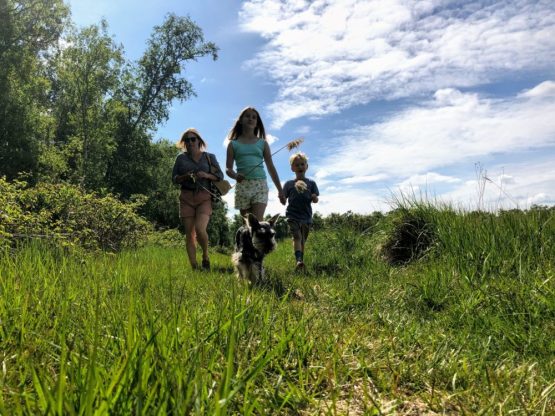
x=327, y=56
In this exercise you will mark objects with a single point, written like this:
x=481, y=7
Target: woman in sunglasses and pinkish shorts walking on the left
x=192, y=171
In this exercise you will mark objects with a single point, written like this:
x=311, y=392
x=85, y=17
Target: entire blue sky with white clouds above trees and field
x=451, y=100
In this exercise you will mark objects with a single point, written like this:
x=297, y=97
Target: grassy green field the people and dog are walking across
x=465, y=324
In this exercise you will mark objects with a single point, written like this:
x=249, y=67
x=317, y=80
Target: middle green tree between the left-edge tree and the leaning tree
x=86, y=77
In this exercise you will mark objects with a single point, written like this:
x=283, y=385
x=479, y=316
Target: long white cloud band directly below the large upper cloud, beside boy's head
x=453, y=128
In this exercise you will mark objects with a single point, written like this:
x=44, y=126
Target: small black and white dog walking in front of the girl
x=252, y=242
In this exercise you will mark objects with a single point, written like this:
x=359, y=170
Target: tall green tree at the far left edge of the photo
x=28, y=30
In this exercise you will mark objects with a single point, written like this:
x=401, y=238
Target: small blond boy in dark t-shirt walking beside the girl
x=300, y=192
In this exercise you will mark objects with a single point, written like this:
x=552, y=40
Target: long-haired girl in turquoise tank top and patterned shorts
x=248, y=148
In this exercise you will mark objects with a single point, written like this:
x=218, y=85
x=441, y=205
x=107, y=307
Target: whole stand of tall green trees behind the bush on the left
x=75, y=110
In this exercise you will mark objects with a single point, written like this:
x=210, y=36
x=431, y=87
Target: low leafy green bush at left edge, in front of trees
x=67, y=213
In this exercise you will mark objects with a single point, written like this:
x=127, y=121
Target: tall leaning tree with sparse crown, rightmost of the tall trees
x=148, y=89
